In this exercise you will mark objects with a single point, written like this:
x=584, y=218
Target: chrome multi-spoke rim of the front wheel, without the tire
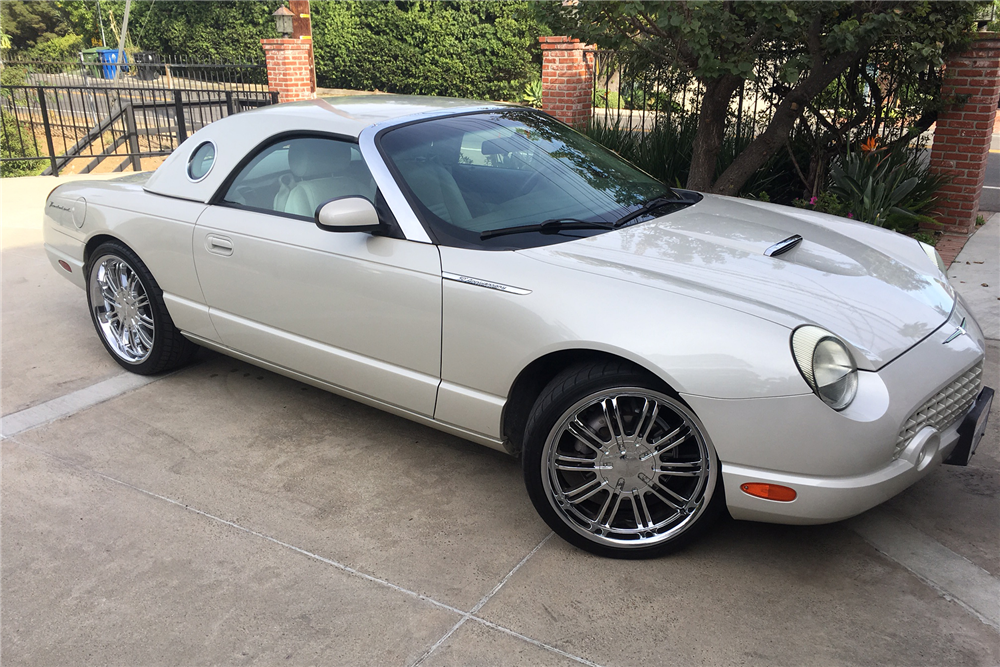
x=628, y=468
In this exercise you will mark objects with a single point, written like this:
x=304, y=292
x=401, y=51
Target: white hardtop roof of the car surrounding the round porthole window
x=237, y=135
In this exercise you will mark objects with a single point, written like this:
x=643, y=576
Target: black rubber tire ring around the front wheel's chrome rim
x=540, y=424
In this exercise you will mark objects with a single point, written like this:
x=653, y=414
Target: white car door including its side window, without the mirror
x=359, y=311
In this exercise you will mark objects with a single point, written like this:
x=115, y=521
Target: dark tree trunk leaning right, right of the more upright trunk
x=788, y=110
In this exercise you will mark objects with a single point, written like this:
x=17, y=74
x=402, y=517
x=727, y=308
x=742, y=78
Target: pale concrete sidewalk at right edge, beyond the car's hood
x=975, y=273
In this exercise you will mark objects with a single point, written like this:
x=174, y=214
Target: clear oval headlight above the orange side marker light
x=826, y=364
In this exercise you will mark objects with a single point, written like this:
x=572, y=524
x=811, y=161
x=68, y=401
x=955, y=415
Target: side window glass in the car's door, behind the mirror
x=296, y=176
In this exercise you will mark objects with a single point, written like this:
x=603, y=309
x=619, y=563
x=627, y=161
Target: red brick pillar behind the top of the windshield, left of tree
x=567, y=79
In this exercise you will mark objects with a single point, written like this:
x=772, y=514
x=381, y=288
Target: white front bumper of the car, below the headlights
x=843, y=463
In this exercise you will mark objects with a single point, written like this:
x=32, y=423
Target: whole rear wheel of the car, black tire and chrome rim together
x=168, y=349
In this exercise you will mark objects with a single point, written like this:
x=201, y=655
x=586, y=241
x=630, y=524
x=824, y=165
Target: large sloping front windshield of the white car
x=471, y=174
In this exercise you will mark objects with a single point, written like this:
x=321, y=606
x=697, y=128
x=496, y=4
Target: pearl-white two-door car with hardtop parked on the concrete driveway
x=654, y=355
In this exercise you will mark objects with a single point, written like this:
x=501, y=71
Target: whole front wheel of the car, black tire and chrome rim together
x=585, y=391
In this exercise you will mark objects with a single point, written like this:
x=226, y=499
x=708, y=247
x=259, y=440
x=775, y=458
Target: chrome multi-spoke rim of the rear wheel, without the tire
x=122, y=309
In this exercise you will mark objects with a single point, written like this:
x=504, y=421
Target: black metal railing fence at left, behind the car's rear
x=57, y=112
